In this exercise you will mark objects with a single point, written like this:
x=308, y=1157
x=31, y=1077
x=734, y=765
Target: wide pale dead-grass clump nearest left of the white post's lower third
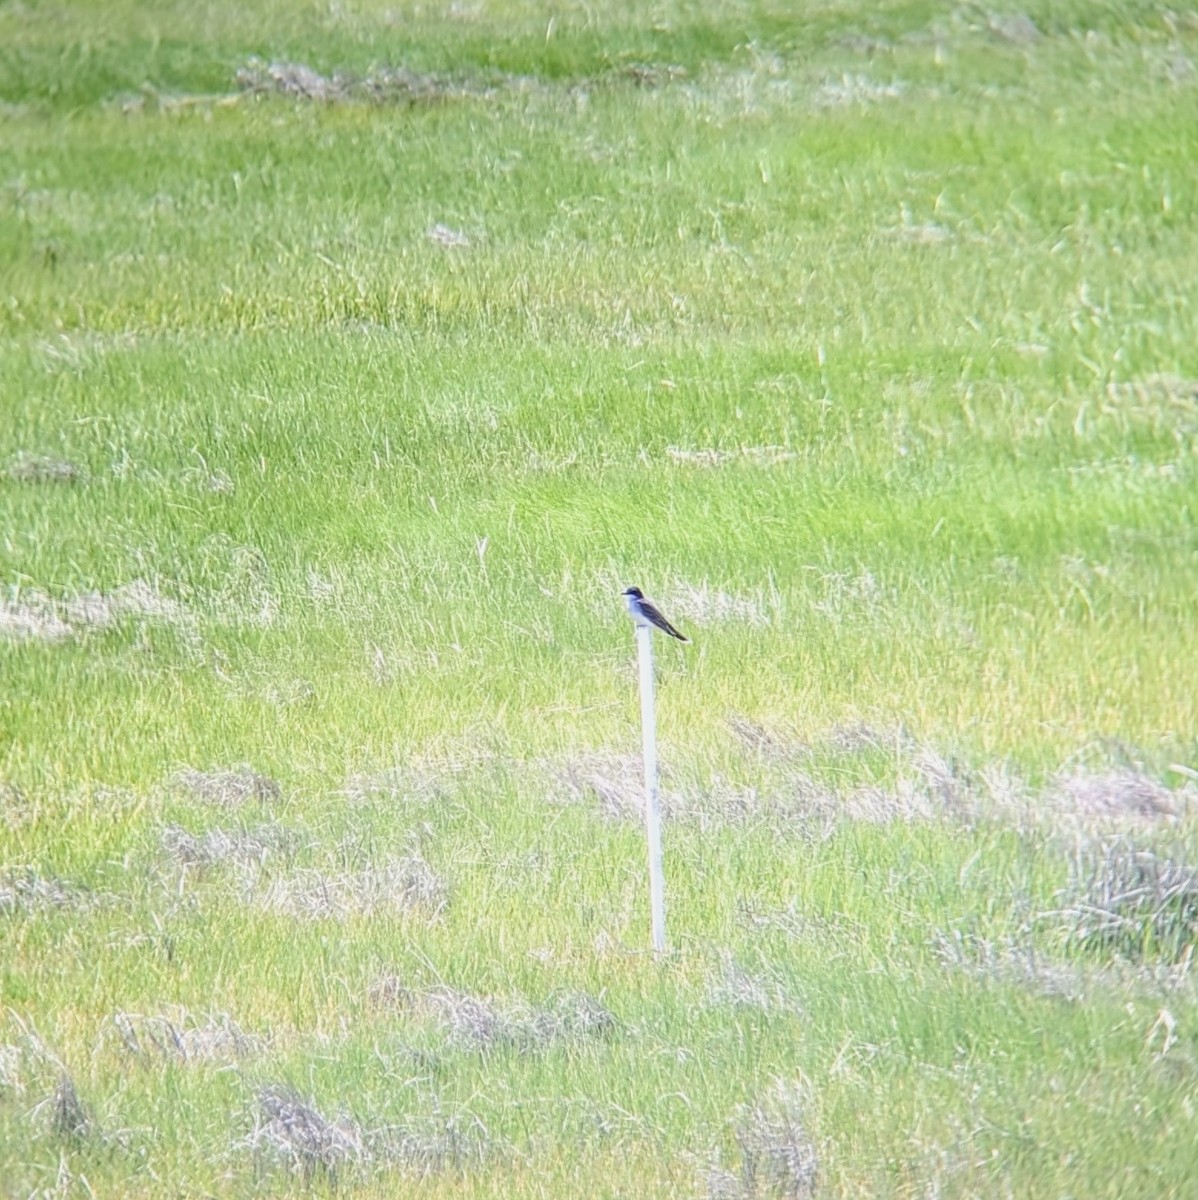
x=399, y=886
